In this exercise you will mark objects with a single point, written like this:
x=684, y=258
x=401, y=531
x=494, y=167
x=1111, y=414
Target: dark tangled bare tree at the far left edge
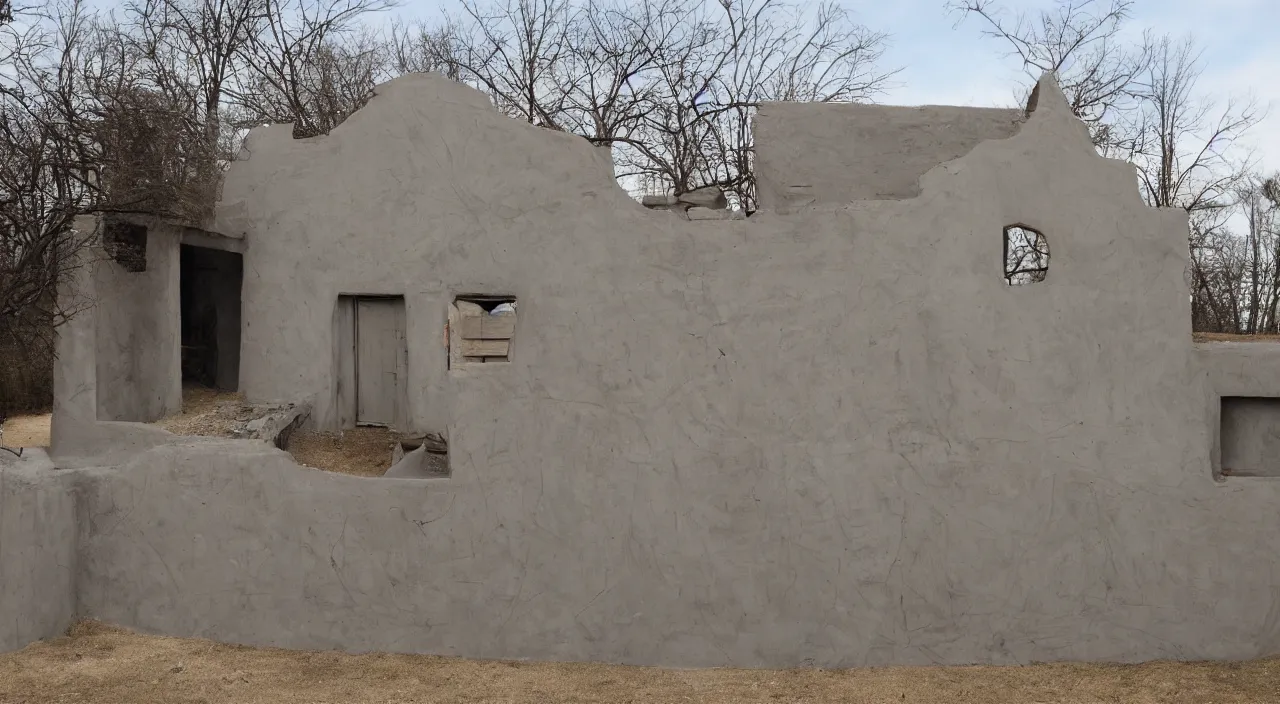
x=49, y=171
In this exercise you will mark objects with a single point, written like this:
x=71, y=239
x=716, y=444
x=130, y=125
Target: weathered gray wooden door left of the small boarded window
x=380, y=360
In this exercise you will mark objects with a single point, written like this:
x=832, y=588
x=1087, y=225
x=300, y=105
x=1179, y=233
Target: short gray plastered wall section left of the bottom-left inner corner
x=38, y=550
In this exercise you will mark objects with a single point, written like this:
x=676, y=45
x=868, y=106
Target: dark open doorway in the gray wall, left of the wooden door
x=211, y=317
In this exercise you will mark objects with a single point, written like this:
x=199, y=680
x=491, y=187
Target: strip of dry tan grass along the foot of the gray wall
x=112, y=666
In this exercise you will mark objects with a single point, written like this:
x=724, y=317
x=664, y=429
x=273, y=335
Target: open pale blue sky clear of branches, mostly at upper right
x=945, y=65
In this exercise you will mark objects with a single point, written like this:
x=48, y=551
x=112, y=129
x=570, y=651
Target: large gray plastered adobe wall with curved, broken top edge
x=831, y=437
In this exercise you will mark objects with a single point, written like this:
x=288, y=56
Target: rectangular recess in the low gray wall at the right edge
x=1250, y=437
